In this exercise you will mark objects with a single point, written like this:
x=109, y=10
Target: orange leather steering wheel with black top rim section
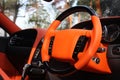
x=64, y=43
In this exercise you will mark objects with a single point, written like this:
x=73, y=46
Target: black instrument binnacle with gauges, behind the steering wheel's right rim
x=110, y=29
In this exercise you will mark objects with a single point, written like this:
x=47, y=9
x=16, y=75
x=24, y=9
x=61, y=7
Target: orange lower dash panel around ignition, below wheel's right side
x=102, y=67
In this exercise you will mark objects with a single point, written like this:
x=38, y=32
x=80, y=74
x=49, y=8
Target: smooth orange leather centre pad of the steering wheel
x=65, y=42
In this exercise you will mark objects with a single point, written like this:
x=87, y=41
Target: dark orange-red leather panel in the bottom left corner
x=7, y=70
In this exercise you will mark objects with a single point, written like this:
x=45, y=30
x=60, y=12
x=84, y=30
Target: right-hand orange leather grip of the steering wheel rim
x=96, y=36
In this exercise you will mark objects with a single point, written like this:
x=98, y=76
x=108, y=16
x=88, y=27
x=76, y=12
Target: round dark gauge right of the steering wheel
x=110, y=32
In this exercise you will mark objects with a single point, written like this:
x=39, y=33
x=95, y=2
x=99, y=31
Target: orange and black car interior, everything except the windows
x=90, y=50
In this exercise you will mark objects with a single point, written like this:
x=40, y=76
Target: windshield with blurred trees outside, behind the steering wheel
x=41, y=13
